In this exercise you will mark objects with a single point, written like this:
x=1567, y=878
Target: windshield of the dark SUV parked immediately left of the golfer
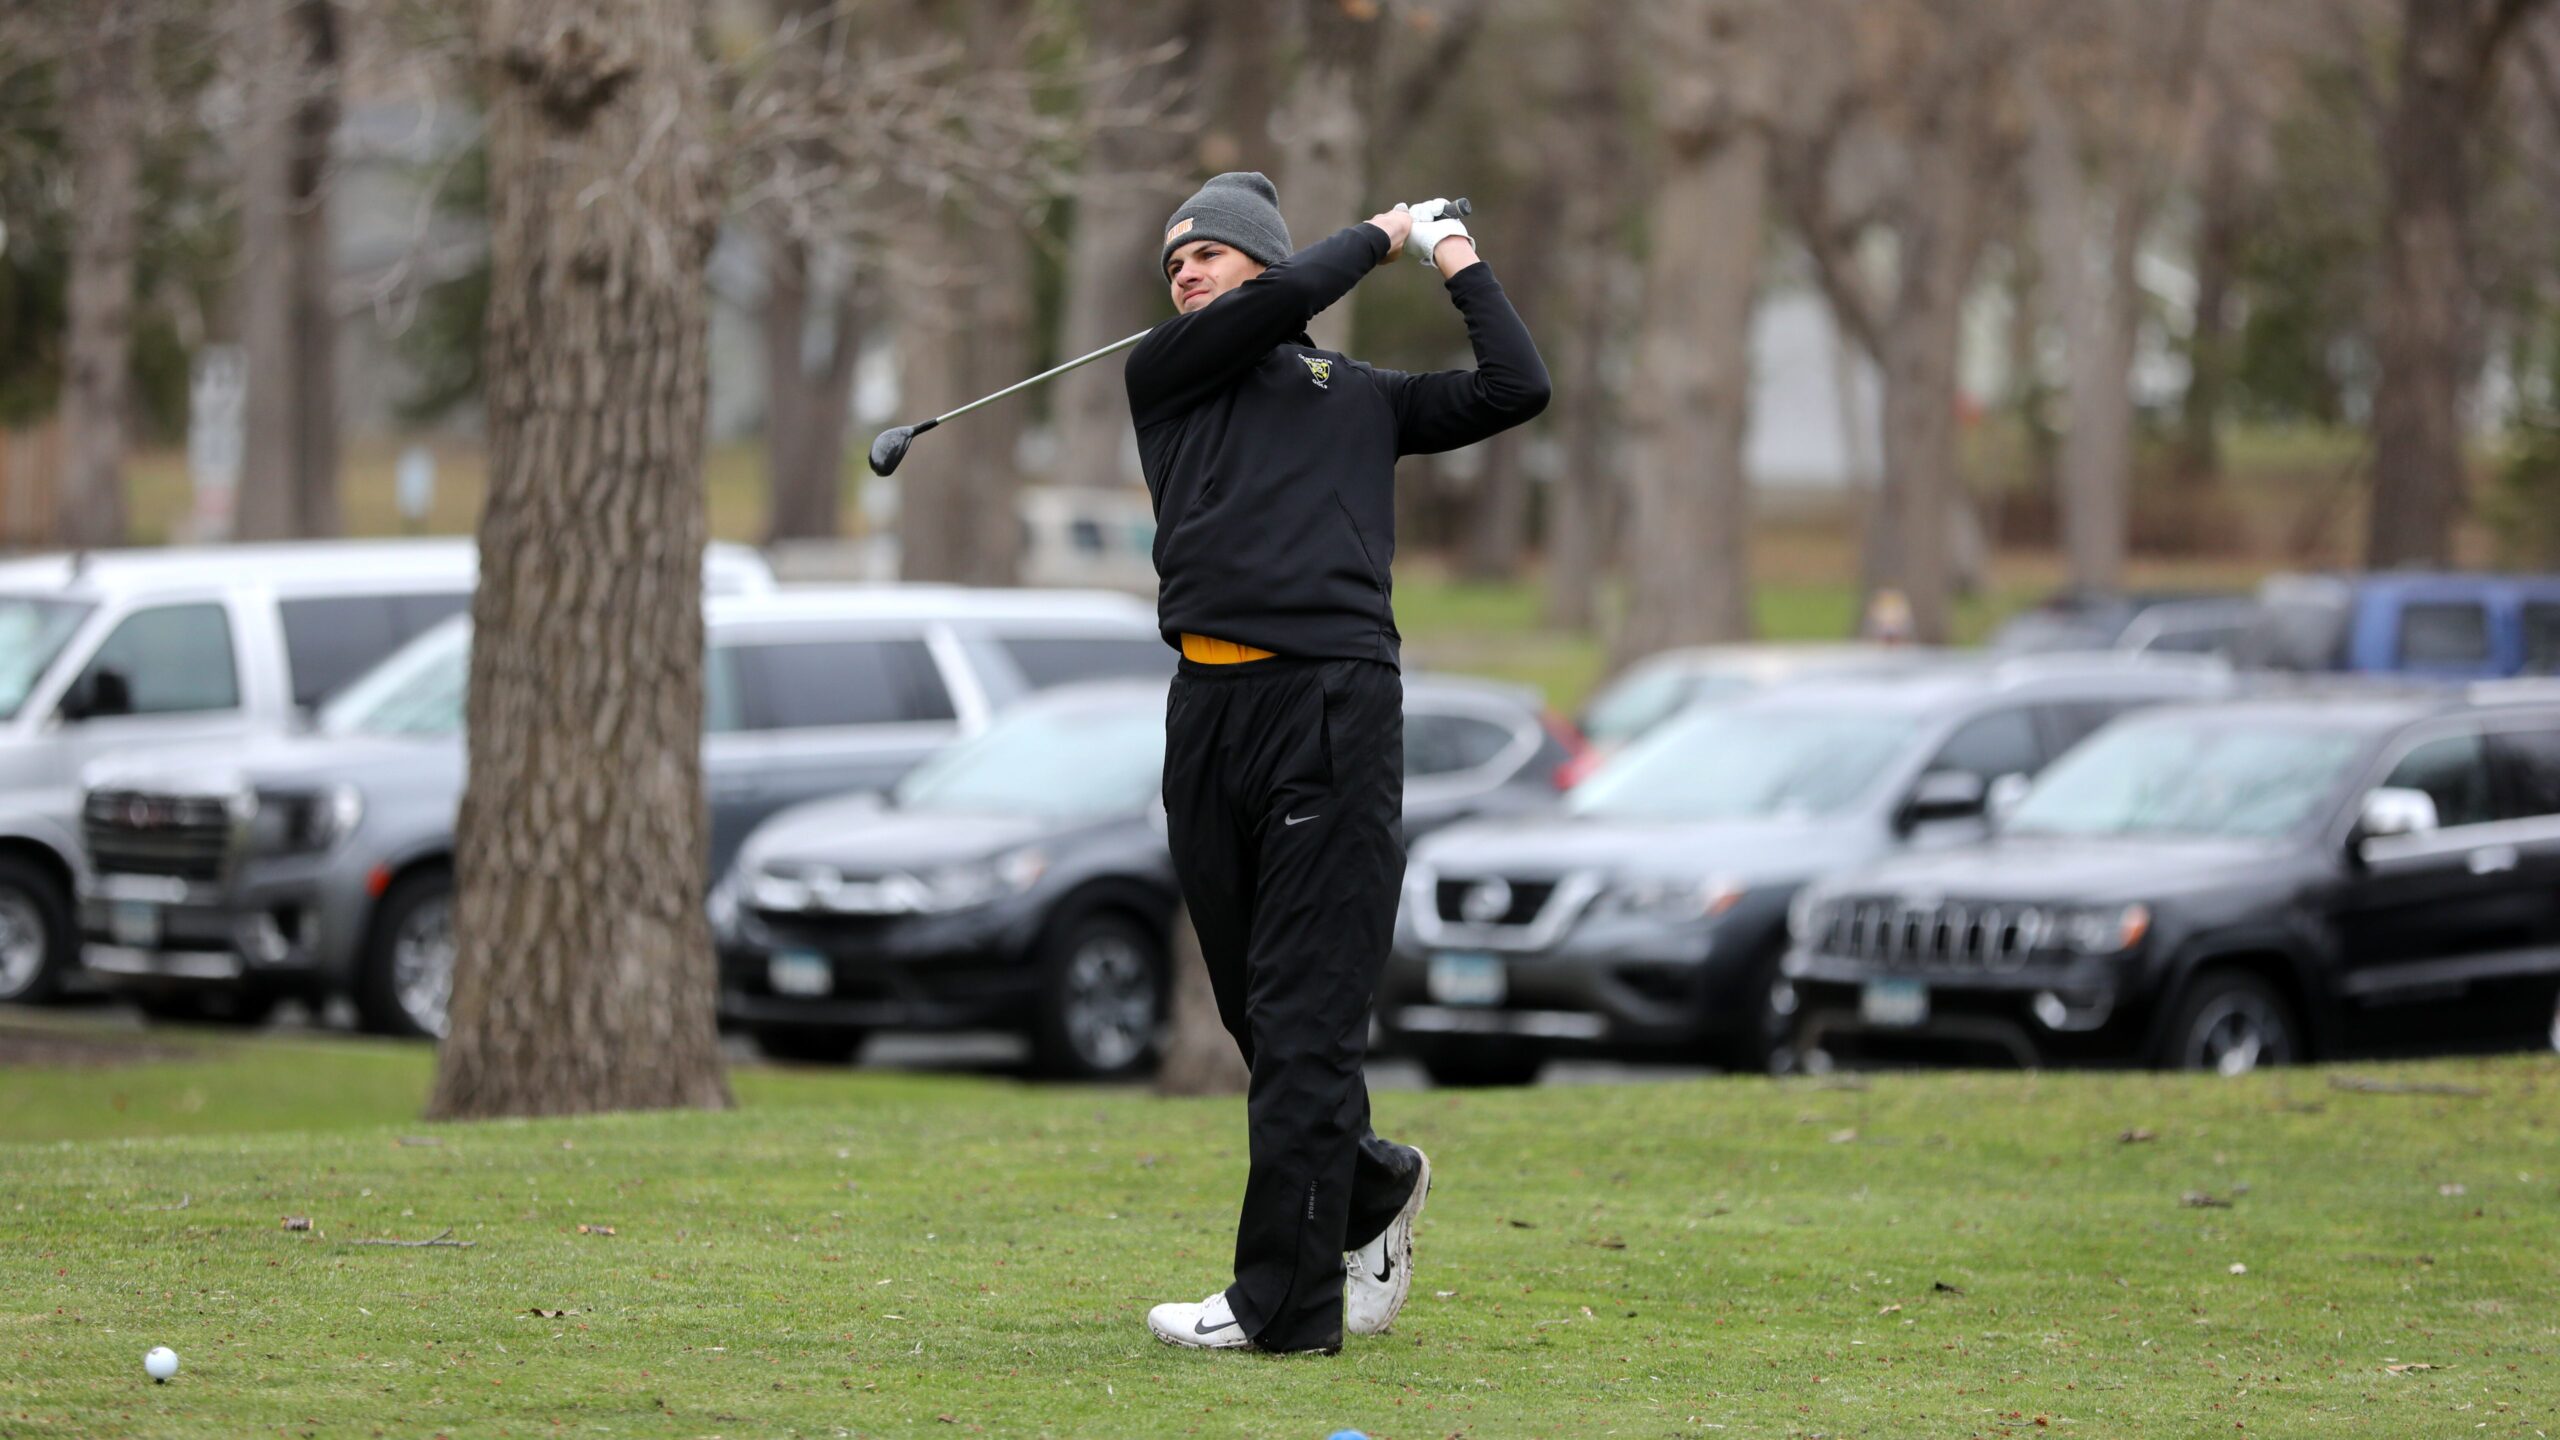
x=1071, y=762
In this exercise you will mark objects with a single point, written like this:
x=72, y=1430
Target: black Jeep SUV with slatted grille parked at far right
x=2221, y=888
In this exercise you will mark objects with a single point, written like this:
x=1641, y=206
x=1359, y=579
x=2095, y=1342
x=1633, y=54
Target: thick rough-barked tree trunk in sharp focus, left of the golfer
x=585, y=970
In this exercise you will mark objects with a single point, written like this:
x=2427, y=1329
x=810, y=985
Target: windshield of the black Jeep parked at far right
x=2188, y=778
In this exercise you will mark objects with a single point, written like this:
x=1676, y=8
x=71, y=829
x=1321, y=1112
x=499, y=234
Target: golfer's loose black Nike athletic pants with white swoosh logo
x=1284, y=801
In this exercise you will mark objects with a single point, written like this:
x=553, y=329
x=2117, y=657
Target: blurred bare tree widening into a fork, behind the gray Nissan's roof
x=1898, y=145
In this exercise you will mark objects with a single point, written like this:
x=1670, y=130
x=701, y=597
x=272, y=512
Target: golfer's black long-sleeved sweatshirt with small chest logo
x=1274, y=465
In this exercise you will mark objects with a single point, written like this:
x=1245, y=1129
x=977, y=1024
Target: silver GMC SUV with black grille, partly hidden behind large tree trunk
x=321, y=865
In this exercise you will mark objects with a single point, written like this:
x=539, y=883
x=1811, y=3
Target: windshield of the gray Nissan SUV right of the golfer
x=1747, y=765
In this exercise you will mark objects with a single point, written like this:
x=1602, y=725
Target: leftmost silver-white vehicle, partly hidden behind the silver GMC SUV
x=122, y=650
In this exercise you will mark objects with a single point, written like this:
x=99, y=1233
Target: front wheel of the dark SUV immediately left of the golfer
x=1102, y=998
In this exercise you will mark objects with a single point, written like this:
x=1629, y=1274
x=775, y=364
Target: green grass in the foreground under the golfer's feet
x=856, y=1254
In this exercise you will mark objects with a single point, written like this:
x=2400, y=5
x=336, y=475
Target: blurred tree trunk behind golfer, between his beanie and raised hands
x=1322, y=135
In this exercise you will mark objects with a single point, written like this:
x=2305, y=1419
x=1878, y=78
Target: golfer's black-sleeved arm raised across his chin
x=1192, y=357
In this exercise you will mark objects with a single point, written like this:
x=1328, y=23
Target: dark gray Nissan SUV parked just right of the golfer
x=1647, y=919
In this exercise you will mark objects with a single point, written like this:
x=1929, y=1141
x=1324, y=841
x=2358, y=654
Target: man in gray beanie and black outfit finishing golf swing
x=1274, y=480
